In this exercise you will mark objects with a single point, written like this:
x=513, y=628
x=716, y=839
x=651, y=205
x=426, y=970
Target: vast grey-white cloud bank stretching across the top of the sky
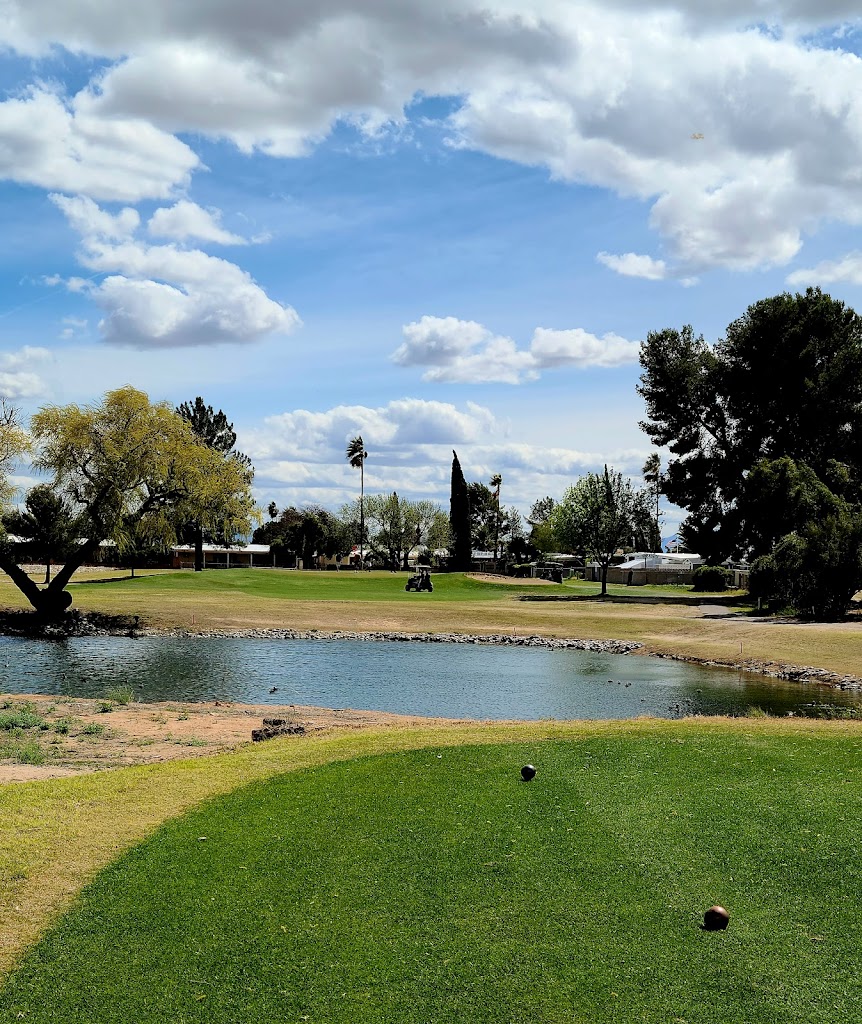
x=752, y=143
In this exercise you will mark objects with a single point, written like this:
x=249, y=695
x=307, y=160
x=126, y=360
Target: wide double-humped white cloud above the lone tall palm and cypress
x=464, y=352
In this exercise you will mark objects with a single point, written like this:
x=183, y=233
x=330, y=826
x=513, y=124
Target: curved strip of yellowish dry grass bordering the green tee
x=58, y=834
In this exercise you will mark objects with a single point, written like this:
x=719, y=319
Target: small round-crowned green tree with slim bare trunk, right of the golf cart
x=599, y=515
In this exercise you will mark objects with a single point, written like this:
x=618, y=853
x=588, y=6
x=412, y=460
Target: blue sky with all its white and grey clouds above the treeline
x=442, y=226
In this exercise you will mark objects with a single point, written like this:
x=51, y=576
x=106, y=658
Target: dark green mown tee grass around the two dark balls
x=435, y=886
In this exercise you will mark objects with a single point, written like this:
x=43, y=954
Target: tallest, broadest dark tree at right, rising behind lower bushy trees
x=786, y=381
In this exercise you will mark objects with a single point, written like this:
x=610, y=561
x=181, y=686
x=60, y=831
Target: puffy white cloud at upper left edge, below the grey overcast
x=48, y=143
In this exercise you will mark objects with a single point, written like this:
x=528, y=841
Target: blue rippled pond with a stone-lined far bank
x=440, y=679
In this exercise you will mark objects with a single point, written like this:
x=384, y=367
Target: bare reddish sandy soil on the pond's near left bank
x=142, y=734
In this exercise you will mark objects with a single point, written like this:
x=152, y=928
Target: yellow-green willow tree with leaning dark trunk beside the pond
x=132, y=472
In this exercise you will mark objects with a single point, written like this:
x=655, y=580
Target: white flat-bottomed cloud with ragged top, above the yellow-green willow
x=167, y=296
